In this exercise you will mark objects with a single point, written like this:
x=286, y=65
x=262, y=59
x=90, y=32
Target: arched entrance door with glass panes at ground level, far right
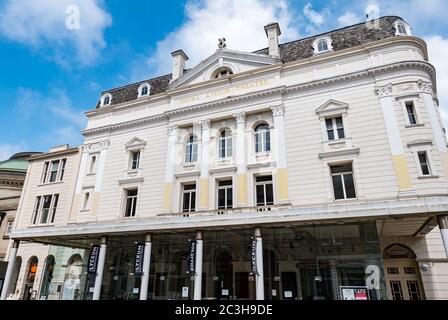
x=402, y=274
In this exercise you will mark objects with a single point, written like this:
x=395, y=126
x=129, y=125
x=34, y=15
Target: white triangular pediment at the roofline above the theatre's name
x=236, y=61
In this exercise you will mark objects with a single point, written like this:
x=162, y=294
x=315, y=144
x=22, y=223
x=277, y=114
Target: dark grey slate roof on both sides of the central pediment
x=344, y=38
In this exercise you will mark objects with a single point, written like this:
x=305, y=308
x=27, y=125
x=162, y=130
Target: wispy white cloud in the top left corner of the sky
x=42, y=26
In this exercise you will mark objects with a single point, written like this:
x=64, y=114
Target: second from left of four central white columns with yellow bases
x=205, y=161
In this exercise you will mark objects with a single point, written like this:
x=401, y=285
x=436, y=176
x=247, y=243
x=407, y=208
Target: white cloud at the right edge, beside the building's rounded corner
x=437, y=47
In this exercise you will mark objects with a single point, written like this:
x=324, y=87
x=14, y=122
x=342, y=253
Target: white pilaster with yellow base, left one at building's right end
x=396, y=146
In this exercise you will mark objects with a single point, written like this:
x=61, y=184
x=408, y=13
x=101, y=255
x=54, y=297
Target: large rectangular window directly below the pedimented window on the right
x=343, y=182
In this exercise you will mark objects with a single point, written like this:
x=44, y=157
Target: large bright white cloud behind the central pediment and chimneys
x=240, y=22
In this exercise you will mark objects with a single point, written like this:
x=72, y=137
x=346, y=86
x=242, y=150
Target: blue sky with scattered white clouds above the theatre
x=50, y=74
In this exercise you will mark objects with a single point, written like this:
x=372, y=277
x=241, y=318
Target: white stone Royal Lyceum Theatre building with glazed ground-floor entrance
x=314, y=169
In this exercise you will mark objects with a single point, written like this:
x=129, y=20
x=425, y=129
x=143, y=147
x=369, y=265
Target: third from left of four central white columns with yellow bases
x=240, y=159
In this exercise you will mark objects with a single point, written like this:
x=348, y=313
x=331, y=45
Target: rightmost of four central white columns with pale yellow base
x=280, y=147
